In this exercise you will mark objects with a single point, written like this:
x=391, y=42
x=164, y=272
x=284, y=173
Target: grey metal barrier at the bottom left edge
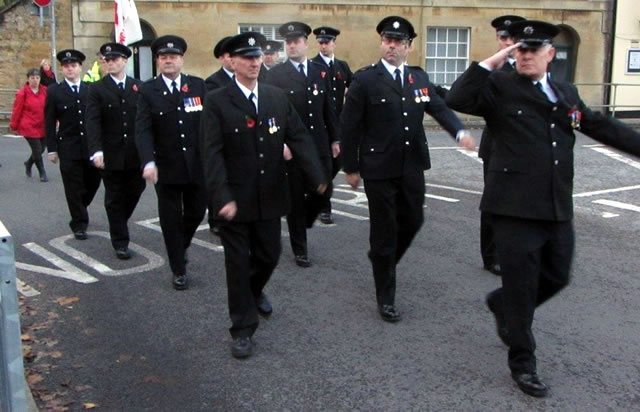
x=12, y=383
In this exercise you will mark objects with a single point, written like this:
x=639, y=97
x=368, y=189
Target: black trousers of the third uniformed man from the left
x=181, y=209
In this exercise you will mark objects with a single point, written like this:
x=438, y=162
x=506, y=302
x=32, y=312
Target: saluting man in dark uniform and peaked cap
x=529, y=184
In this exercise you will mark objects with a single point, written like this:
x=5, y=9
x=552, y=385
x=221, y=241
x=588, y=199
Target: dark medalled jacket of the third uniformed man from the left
x=167, y=128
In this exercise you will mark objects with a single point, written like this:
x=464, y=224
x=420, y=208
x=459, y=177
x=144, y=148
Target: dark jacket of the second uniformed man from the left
x=110, y=120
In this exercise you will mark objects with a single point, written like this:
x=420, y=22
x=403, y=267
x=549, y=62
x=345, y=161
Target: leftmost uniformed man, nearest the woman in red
x=66, y=102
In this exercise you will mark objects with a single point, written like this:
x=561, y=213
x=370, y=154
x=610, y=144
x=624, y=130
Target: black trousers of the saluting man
x=535, y=257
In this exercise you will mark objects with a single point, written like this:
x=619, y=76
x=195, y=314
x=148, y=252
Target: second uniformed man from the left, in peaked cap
x=111, y=115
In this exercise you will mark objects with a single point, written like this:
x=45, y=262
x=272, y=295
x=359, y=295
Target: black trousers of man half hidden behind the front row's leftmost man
x=305, y=204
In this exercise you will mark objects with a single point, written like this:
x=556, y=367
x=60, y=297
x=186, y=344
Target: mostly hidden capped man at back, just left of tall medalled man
x=339, y=80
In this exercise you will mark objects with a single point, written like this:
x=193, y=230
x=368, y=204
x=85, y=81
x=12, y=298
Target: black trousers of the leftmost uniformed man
x=81, y=181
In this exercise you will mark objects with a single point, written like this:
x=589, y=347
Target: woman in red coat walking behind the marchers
x=27, y=118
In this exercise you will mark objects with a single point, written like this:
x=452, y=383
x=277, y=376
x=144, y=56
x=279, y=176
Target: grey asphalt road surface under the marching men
x=131, y=342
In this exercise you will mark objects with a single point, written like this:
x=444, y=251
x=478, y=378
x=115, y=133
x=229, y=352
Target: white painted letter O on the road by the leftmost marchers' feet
x=154, y=261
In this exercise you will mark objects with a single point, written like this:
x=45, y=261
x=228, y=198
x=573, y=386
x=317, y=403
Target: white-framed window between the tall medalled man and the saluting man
x=447, y=53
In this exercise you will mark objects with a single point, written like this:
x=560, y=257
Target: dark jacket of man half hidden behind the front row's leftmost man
x=310, y=98
